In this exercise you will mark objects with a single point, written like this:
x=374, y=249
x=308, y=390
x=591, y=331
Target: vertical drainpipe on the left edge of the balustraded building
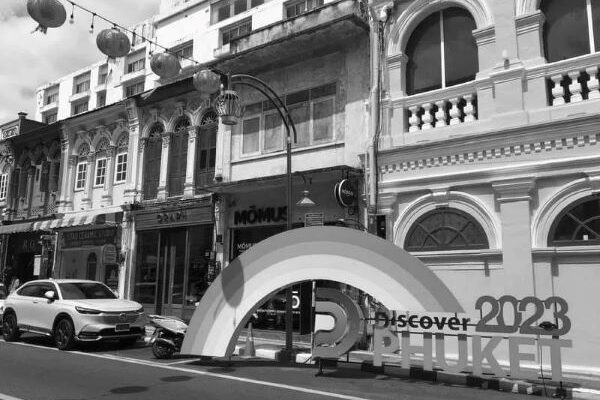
x=374, y=106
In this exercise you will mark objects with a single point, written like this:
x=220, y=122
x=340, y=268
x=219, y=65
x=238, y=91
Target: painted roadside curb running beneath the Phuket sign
x=550, y=389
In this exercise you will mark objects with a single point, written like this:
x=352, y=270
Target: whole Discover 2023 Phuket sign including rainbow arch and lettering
x=394, y=277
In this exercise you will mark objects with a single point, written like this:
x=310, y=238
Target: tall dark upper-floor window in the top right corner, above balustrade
x=571, y=28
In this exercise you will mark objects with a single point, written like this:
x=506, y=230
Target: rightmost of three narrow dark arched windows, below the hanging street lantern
x=206, y=143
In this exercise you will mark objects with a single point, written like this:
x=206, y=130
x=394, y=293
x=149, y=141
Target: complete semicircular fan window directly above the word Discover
x=446, y=229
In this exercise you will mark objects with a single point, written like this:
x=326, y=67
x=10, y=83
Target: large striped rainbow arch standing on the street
x=376, y=266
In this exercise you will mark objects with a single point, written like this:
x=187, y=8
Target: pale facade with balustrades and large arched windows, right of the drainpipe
x=487, y=159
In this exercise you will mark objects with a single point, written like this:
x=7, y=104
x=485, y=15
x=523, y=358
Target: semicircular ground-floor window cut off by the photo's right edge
x=579, y=225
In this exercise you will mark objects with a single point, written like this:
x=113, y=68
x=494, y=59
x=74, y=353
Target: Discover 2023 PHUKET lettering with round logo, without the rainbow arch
x=400, y=331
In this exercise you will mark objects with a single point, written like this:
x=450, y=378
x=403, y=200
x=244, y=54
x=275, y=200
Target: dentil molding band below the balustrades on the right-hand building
x=475, y=156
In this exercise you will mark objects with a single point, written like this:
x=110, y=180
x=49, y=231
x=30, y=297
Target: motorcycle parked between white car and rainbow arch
x=168, y=335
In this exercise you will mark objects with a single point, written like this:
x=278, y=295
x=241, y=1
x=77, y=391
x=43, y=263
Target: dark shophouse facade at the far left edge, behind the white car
x=30, y=171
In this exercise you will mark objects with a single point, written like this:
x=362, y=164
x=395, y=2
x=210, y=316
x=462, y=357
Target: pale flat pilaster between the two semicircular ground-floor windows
x=513, y=197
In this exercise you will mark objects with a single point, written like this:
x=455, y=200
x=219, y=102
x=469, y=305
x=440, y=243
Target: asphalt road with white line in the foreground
x=32, y=369
